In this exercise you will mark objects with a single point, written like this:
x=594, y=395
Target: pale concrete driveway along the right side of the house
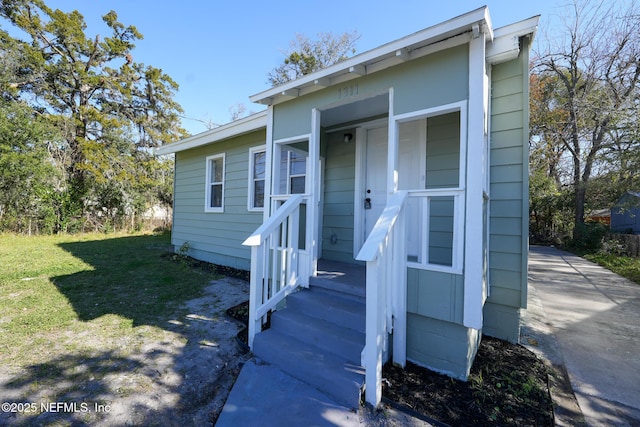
x=595, y=317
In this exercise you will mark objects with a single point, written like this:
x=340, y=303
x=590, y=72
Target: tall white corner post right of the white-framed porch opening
x=476, y=133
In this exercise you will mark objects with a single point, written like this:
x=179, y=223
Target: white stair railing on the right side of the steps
x=385, y=253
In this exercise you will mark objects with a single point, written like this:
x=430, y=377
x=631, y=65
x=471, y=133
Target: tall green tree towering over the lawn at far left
x=110, y=109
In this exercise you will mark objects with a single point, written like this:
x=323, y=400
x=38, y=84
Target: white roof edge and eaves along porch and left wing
x=502, y=45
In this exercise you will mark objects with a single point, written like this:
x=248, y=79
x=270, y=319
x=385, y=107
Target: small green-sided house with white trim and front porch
x=402, y=173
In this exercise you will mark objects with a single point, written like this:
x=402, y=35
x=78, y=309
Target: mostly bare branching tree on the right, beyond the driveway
x=592, y=72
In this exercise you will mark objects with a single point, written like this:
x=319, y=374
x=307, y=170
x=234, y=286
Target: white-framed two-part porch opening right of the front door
x=431, y=165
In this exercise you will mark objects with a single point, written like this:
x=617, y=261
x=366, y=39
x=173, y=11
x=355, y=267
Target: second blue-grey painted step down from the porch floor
x=326, y=336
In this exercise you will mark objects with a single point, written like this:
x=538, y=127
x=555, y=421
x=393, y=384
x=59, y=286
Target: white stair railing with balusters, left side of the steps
x=274, y=262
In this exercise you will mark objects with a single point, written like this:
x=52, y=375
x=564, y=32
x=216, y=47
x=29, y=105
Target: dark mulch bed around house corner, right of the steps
x=508, y=385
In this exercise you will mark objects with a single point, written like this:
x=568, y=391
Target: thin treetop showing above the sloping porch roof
x=306, y=56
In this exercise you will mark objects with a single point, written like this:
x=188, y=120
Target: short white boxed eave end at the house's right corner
x=506, y=43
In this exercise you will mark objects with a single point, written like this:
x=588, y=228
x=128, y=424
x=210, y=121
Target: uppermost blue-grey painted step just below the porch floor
x=331, y=307
